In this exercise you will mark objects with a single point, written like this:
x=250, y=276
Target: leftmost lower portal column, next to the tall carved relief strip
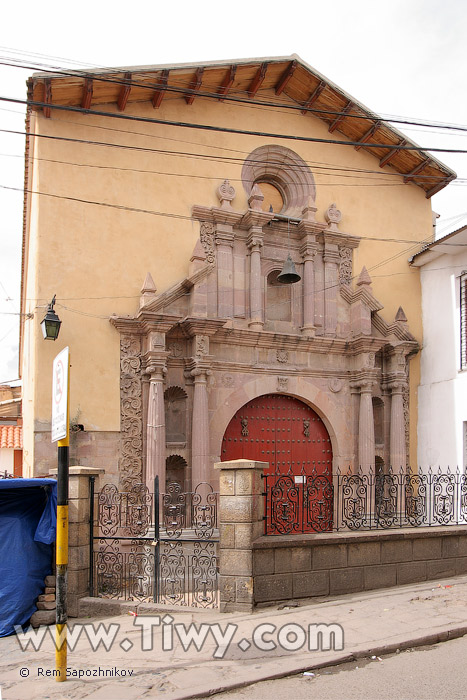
x=155, y=443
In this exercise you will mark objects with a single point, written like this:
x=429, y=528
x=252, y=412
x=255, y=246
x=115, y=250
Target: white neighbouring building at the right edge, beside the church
x=442, y=395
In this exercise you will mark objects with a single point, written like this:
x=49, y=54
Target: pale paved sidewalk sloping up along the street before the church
x=373, y=623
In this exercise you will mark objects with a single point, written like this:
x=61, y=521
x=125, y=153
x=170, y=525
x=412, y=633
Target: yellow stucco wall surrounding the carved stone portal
x=95, y=258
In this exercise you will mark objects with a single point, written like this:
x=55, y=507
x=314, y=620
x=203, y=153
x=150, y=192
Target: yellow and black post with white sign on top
x=60, y=434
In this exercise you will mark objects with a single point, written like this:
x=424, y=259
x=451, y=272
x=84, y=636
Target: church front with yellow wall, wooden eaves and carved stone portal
x=164, y=238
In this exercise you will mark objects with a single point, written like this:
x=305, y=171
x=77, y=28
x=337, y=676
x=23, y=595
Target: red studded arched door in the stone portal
x=291, y=436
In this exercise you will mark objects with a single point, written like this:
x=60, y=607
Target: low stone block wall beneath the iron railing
x=286, y=568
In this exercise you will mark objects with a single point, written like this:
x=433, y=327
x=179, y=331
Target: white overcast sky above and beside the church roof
x=402, y=57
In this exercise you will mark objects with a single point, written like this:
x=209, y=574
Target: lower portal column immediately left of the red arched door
x=200, y=427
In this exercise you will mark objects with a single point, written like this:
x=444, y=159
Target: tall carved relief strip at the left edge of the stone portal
x=131, y=410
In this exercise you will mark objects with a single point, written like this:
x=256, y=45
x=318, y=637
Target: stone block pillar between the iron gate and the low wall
x=241, y=522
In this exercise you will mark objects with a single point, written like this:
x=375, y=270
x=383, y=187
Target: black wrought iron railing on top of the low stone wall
x=328, y=502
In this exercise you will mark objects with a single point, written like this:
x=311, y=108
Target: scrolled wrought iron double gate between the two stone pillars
x=155, y=547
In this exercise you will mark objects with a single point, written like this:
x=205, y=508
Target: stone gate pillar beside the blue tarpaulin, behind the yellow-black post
x=78, y=535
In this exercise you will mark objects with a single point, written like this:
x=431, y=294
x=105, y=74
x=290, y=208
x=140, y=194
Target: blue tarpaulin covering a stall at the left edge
x=28, y=518
